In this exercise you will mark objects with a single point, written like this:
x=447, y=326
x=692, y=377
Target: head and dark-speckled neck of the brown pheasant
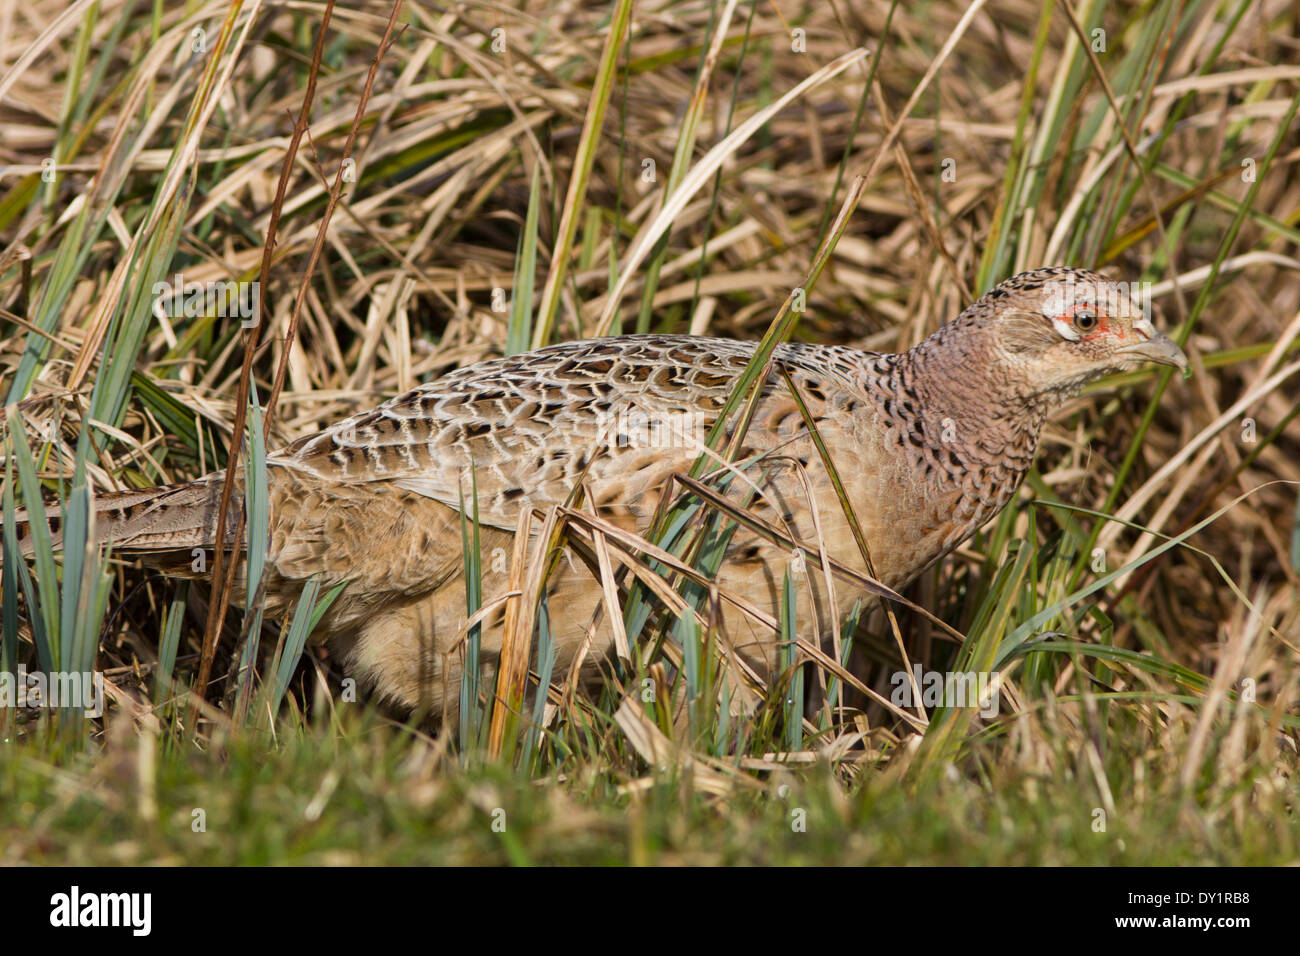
x=967, y=406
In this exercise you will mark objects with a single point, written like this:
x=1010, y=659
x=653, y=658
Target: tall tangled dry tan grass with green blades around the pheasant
x=168, y=162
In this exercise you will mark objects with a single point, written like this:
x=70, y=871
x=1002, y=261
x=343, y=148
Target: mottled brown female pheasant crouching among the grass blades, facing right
x=930, y=444
